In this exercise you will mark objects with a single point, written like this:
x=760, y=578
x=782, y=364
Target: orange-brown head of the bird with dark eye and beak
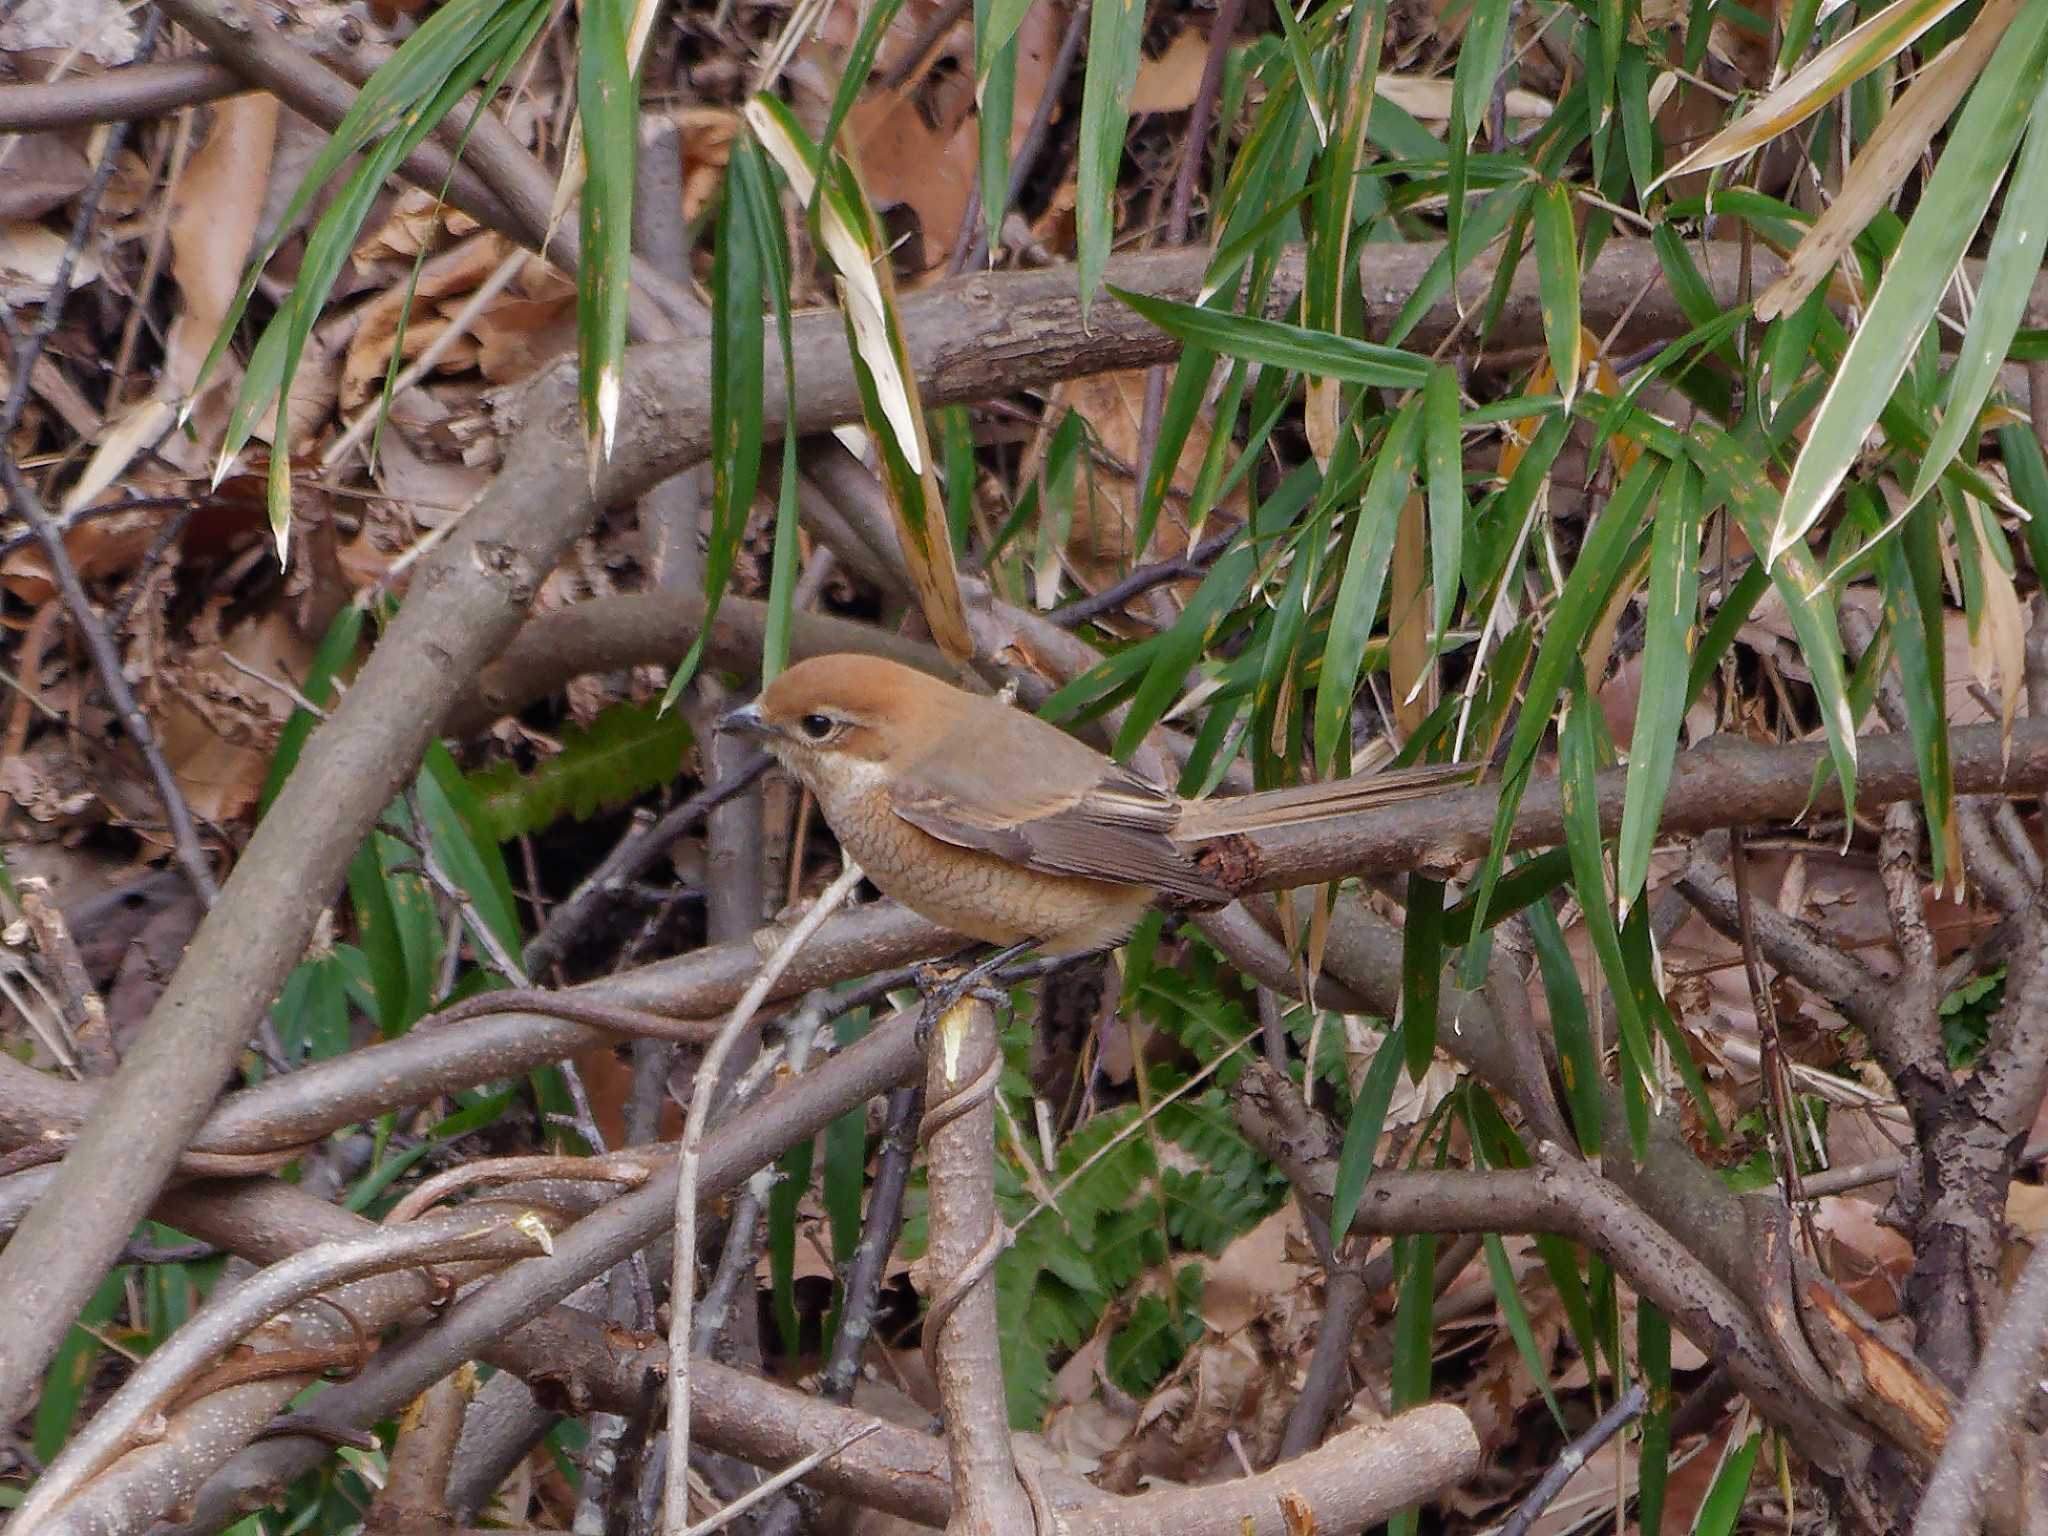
x=837, y=720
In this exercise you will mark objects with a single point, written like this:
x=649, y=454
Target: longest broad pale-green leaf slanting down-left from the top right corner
x=1947, y=220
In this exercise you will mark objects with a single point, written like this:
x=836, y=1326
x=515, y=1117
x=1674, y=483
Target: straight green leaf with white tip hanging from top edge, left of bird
x=607, y=103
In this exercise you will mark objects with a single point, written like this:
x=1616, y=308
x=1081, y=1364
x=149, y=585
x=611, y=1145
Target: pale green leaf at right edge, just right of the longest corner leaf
x=2002, y=302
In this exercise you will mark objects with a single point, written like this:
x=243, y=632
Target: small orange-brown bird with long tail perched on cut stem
x=1000, y=826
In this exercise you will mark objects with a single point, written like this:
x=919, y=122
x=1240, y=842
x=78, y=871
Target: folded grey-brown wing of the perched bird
x=1105, y=828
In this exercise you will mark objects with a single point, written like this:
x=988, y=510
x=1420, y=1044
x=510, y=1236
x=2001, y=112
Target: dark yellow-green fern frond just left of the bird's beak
x=624, y=753
